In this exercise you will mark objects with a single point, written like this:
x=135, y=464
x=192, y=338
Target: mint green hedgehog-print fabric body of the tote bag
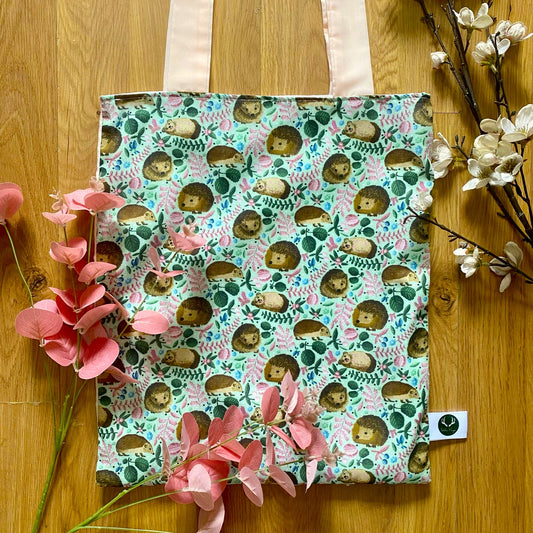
x=311, y=266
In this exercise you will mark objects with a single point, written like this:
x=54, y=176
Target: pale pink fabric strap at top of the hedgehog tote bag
x=188, y=52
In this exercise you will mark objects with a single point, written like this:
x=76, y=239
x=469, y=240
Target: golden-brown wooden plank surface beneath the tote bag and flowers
x=58, y=56
